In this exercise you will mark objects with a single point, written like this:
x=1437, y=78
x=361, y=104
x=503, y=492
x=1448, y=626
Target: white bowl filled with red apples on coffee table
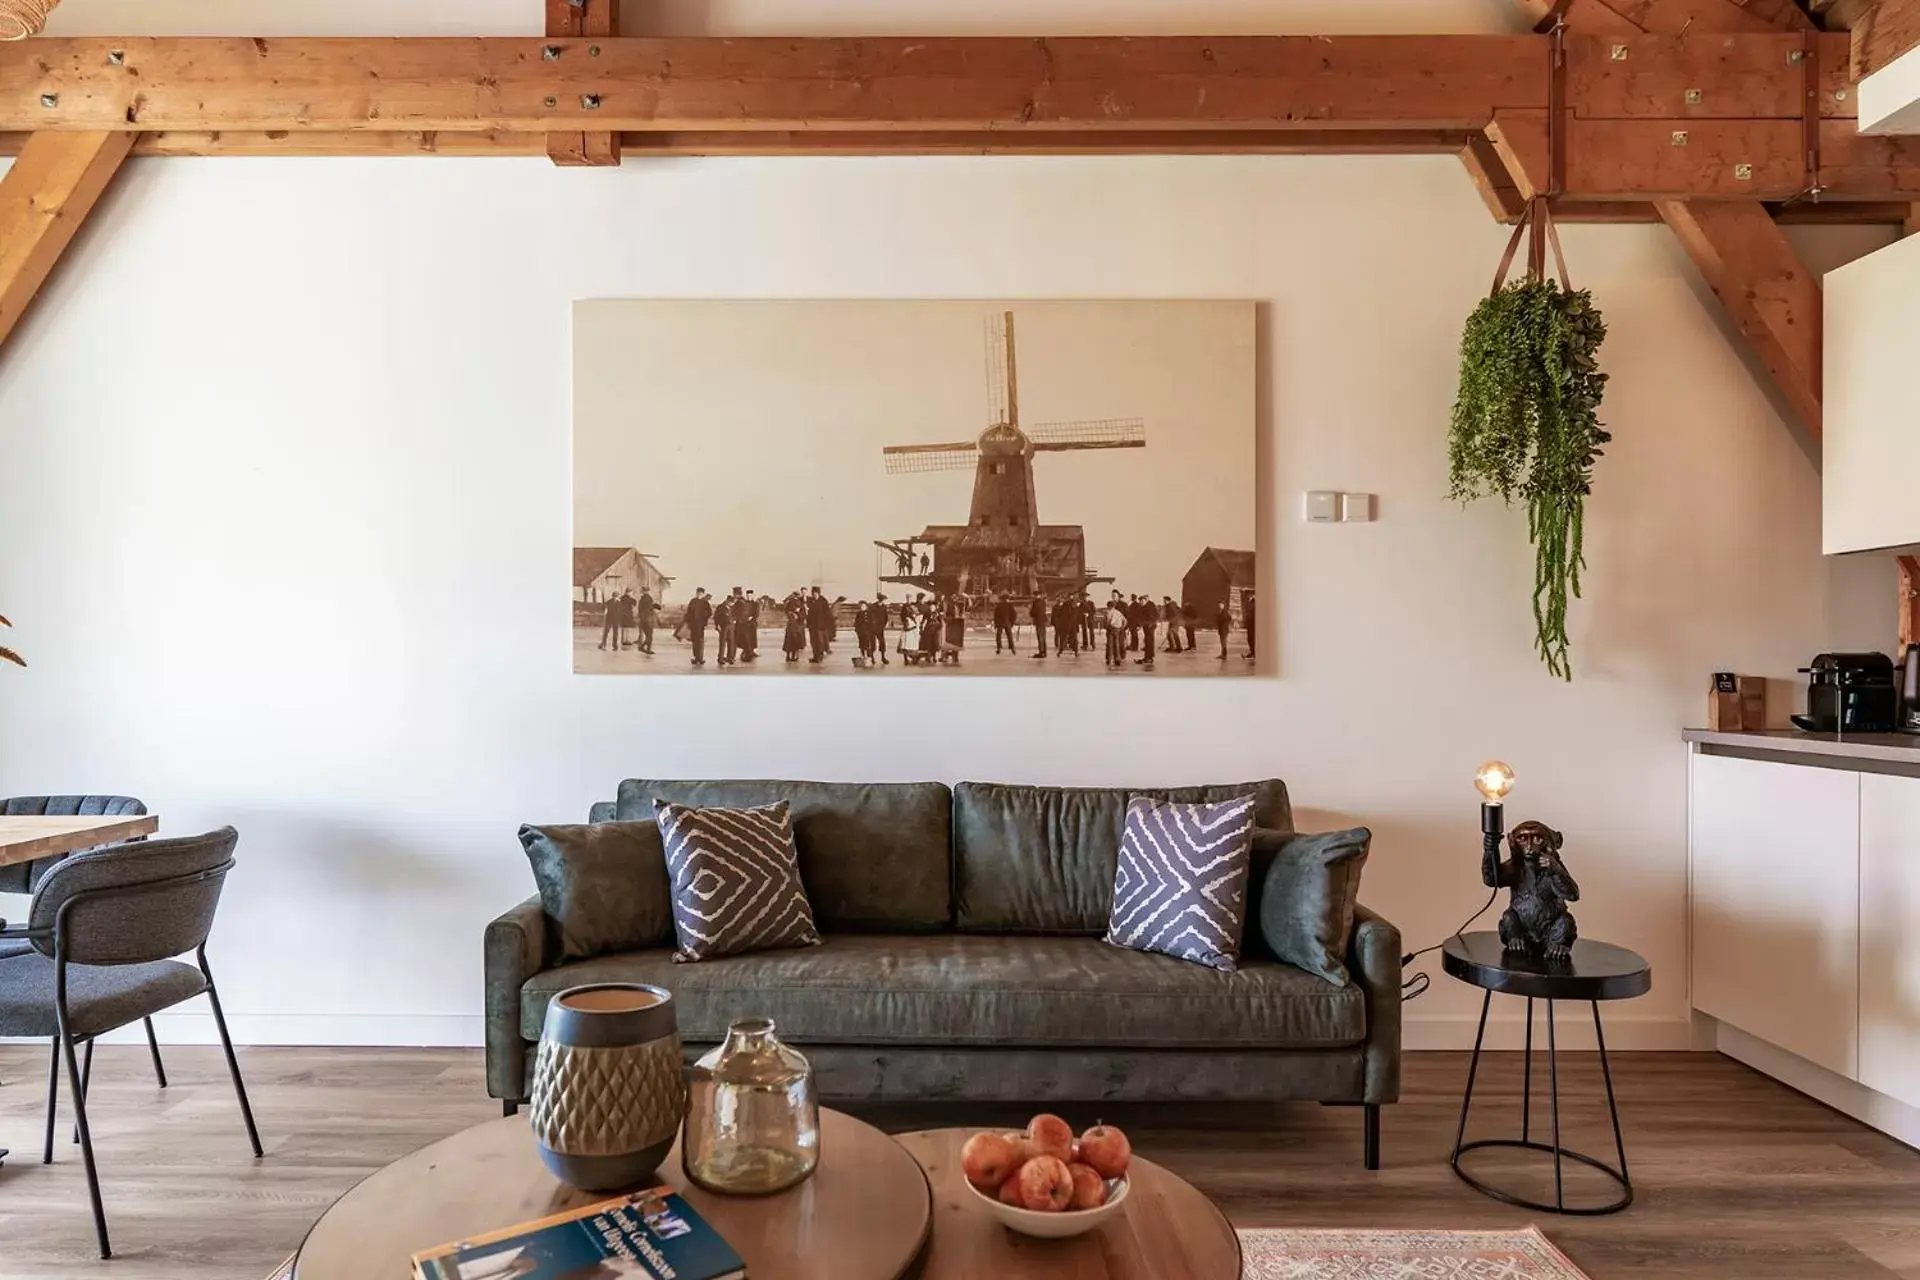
x=1047, y=1183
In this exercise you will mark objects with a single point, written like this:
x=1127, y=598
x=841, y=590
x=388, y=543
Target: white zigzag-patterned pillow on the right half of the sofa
x=1182, y=880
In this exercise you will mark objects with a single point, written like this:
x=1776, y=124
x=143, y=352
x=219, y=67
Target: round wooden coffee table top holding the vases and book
x=865, y=1214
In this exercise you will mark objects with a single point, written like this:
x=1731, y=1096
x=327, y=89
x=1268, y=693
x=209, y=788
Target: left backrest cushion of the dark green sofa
x=875, y=857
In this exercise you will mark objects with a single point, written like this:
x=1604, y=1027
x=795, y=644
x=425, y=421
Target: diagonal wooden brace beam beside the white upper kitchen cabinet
x=1769, y=296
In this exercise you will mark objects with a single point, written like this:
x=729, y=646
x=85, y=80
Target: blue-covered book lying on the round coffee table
x=648, y=1237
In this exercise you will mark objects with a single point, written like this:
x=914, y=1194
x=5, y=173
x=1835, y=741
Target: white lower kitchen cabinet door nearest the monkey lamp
x=1777, y=905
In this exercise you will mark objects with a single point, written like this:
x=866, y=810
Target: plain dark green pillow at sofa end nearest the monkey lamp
x=1308, y=897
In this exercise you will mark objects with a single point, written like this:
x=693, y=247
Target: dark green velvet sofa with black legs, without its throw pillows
x=965, y=959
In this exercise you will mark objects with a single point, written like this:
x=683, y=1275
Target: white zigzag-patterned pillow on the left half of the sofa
x=736, y=880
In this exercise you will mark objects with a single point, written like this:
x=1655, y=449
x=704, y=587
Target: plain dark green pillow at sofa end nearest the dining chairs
x=604, y=888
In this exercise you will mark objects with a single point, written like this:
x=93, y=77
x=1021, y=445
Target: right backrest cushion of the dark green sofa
x=1042, y=859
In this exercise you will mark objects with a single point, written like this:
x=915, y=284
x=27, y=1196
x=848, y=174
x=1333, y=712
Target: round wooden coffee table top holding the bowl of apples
x=1168, y=1231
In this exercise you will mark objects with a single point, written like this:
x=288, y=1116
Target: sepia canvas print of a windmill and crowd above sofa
x=901, y=490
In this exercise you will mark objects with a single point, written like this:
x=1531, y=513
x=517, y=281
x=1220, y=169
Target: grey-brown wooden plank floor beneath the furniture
x=1737, y=1175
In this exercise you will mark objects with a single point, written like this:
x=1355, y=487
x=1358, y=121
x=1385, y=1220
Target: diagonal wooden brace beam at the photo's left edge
x=45, y=197
